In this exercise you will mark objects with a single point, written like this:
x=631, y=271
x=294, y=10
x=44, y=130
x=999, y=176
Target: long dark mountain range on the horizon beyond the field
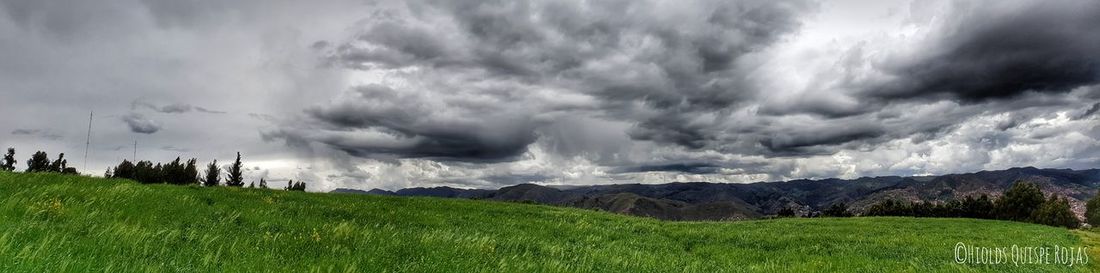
x=719, y=202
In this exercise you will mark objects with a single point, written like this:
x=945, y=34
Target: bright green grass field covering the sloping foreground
x=68, y=224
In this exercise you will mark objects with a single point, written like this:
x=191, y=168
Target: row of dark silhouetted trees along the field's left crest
x=177, y=172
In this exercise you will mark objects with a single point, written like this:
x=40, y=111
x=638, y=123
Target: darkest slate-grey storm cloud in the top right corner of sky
x=996, y=52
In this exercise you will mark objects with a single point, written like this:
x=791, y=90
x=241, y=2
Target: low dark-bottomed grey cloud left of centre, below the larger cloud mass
x=381, y=122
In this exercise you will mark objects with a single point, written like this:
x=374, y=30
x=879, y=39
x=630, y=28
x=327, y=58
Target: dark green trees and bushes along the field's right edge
x=1024, y=202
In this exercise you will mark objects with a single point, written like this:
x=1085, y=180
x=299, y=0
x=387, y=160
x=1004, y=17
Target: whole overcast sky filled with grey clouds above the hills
x=485, y=94
